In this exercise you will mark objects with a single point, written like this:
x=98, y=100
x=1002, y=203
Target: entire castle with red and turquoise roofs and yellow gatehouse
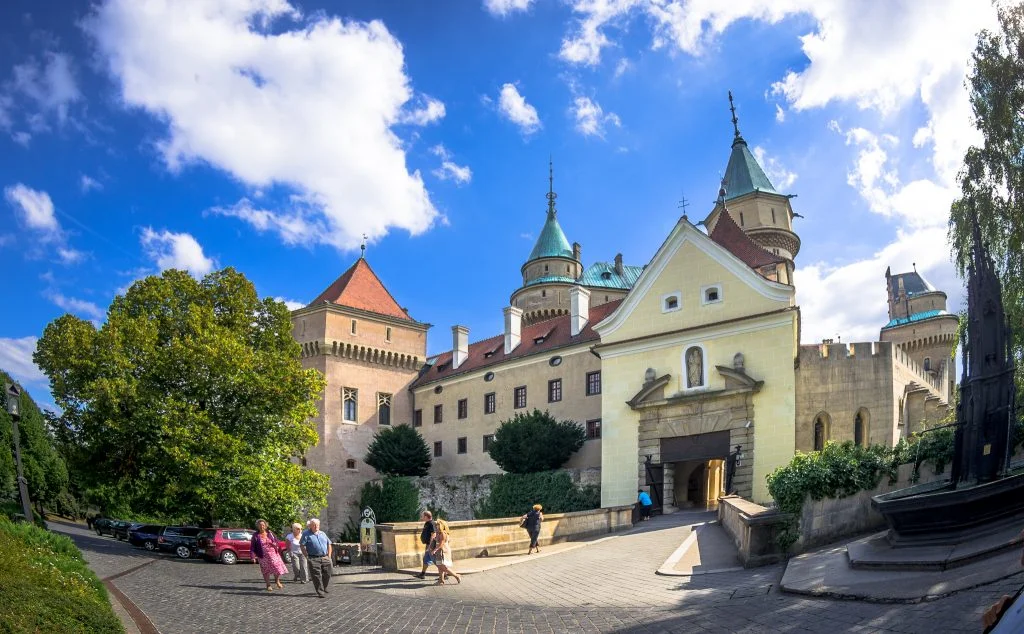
x=688, y=372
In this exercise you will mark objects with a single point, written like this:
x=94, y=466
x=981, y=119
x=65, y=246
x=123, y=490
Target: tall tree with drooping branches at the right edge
x=993, y=178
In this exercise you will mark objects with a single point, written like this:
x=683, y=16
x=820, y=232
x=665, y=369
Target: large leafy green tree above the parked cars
x=190, y=402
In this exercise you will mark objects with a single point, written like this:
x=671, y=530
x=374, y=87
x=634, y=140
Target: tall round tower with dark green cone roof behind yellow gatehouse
x=755, y=205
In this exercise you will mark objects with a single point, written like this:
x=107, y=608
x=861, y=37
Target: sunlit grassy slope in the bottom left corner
x=47, y=587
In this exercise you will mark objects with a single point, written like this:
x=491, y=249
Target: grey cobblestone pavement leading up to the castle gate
x=609, y=586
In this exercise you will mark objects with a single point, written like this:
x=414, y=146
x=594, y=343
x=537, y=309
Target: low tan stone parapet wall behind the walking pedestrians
x=402, y=548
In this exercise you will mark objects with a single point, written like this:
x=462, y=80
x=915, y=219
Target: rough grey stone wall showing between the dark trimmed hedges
x=458, y=496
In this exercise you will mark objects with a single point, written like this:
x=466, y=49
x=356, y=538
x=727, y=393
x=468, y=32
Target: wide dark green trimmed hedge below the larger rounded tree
x=515, y=494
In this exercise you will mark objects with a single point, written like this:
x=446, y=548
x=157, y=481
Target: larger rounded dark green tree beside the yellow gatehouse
x=535, y=442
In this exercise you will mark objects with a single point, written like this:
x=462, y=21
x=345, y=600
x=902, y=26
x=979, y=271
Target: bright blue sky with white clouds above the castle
x=138, y=136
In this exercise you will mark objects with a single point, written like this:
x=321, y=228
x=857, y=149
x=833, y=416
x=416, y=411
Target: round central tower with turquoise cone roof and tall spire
x=551, y=270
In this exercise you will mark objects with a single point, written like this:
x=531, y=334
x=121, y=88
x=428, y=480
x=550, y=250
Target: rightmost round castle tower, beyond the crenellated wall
x=920, y=324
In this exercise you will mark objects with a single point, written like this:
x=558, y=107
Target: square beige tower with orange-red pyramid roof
x=370, y=351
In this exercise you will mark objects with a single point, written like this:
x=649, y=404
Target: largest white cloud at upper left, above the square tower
x=309, y=105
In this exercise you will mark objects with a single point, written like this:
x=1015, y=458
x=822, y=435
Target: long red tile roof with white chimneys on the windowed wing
x=556, y=333
